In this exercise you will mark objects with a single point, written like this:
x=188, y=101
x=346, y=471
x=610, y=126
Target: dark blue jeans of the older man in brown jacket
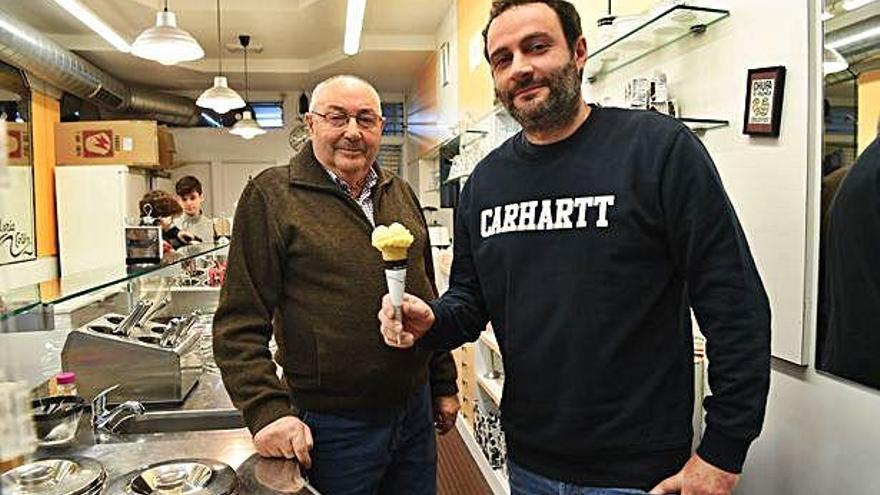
x=395, y=454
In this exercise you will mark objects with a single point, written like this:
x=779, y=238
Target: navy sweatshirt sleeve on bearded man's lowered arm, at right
x=728, y=298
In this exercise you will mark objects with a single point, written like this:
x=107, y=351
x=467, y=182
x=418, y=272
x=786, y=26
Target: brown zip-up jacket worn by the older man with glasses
x=301, y=261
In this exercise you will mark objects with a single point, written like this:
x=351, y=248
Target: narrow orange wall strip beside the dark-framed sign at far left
x=46, y=112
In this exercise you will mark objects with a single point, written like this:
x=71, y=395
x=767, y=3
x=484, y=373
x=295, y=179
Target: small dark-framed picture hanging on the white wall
x=763, y=112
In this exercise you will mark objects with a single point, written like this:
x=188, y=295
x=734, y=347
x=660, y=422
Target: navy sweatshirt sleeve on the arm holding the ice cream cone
x=460, y=314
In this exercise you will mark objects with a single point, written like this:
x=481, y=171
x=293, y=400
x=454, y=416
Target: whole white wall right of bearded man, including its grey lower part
x=821, y=434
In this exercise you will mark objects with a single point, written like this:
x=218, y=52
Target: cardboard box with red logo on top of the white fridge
x=113, y=142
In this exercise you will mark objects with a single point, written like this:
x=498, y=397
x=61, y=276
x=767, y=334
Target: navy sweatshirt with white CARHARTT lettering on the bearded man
x=586, y=255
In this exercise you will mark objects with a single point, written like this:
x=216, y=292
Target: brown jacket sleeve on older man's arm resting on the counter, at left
x=243, y=321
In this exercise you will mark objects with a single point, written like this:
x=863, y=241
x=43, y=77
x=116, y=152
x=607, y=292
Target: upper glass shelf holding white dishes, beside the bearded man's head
x=666, y=28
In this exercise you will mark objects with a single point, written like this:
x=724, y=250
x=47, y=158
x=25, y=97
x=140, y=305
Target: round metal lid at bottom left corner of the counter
x=79, y=476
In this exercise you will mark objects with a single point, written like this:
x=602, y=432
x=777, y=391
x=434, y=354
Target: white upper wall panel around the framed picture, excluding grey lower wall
x=765, y=178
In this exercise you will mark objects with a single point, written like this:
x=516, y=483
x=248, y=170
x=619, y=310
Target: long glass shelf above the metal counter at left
x=20, y=300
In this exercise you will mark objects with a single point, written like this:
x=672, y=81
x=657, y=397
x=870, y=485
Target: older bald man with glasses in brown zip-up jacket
x=301, y=261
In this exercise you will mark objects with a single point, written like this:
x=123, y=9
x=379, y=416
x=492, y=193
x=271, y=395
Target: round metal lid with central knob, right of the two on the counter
x=178, y=477
